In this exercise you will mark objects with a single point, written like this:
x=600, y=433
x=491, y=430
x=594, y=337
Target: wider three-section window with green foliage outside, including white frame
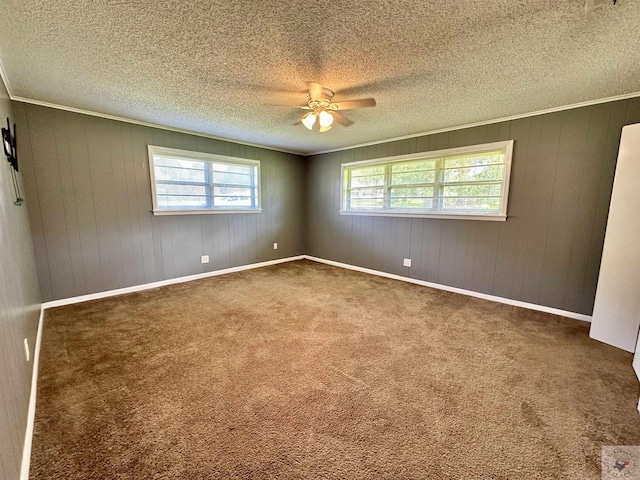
x=469, y=182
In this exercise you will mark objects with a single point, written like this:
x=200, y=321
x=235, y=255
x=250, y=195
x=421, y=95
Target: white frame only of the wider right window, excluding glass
x=506, y=146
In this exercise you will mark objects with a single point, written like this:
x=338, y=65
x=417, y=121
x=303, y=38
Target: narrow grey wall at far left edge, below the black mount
x=19, y=310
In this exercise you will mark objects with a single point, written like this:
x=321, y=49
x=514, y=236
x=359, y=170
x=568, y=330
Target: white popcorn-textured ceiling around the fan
x=215, y=66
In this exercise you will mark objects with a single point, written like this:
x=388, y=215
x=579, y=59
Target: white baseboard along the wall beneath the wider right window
x=493, y=298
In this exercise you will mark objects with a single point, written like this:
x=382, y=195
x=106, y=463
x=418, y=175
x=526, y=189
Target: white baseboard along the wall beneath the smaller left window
x=162, y=283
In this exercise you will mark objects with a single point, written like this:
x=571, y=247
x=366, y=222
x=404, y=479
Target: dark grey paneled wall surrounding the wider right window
x=547, y=252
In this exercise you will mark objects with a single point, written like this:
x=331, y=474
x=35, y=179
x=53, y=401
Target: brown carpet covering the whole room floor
x=304, y=370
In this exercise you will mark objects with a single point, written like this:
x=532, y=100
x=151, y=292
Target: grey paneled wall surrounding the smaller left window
x=91, y=218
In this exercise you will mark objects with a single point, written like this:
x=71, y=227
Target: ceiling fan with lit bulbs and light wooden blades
x=325, y=111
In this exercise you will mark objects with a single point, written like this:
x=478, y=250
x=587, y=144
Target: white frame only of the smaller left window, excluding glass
x=206, y=157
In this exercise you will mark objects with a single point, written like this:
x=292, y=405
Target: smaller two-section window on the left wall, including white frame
x=193, y=182
